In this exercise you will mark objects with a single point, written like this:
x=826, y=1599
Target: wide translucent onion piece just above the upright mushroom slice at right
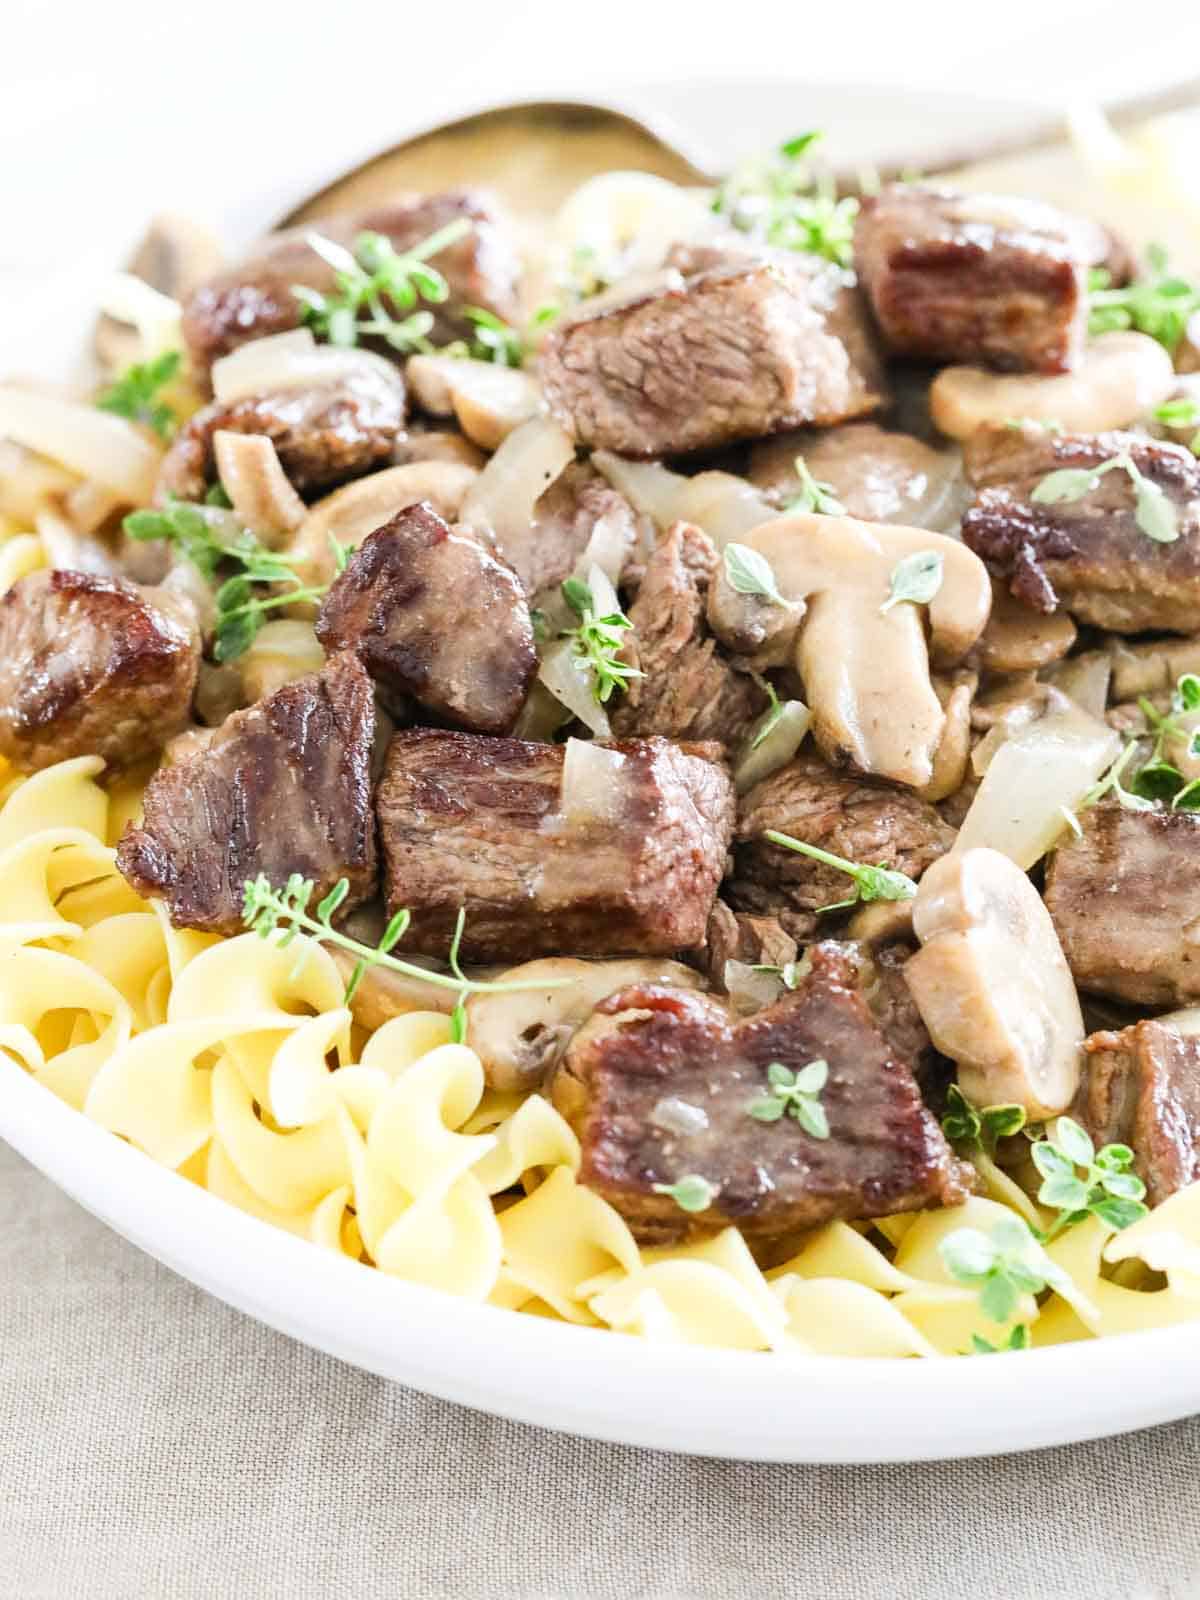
x=1033, y=780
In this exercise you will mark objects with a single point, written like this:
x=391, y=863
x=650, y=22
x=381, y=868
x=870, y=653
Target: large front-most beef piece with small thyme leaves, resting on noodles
x=649, y=1054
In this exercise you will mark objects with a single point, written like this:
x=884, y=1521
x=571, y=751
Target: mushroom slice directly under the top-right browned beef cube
x=1122, y=375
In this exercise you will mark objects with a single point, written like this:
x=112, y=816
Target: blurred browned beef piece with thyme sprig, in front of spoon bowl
x=255, y=298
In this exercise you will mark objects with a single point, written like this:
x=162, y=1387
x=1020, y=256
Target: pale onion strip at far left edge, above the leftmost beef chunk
x=90, y=442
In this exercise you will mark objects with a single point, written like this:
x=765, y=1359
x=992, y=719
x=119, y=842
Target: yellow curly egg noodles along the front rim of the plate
x=214, y=1058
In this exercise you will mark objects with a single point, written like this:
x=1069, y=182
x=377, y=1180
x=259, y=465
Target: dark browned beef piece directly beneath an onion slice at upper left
x=322, y=436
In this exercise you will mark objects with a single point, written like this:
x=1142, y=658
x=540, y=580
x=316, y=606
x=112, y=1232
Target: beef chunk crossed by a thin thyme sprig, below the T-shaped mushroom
x=857, y=818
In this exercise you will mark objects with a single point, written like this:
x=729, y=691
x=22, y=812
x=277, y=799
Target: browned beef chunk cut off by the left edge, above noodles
x=92, y=666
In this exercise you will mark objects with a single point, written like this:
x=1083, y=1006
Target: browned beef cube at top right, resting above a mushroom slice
x=980, y=279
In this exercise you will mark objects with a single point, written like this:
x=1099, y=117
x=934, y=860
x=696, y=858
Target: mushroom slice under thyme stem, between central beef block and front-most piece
x=519, y=1038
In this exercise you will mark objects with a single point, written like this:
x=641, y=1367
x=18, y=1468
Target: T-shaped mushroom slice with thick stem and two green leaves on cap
x=866, y=670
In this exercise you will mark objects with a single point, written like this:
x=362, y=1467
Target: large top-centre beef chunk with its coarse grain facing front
x=734, y=353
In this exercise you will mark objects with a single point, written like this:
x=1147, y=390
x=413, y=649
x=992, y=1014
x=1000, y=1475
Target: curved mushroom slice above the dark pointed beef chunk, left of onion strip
x=358, y=510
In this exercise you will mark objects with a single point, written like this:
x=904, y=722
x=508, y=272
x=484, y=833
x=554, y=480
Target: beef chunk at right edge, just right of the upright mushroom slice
x=1126, y=902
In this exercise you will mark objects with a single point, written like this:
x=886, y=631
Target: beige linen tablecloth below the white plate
x=156, y=1446
